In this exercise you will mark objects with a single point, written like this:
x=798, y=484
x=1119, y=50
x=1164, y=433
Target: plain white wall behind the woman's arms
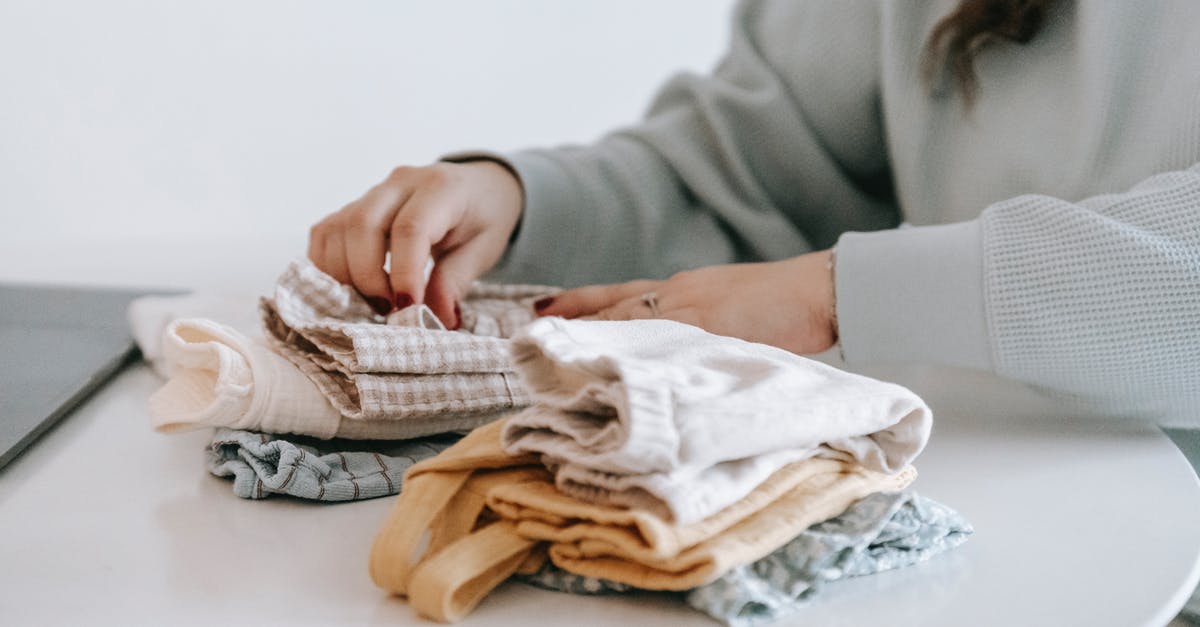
x=177, y=142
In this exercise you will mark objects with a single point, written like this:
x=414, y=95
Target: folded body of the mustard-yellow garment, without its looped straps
x=638, y=548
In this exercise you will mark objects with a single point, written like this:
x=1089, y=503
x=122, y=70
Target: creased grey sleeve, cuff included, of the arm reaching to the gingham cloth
x=747, y=164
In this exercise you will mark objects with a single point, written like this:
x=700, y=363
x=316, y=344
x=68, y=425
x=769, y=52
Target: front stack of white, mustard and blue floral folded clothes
x=659, y=457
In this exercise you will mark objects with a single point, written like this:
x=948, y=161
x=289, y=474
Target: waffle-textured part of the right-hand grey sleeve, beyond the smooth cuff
x=1101, y=298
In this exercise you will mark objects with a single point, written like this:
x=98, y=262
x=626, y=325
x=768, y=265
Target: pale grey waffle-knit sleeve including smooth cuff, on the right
x=1099, y=300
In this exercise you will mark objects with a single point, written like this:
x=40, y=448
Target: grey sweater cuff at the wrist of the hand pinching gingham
x=550, y=230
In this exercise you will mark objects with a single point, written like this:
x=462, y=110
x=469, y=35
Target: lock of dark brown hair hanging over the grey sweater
x=973, y=26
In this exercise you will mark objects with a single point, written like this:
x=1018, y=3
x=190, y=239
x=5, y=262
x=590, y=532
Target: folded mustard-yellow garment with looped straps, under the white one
x=445, y=548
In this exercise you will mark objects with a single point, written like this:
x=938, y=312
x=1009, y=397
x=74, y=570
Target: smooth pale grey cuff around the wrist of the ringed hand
x=914, y=295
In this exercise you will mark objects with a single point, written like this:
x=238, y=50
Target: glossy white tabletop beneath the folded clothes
x=1079, y=522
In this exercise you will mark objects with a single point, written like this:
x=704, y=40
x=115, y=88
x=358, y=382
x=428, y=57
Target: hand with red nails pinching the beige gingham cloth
x=459, y=214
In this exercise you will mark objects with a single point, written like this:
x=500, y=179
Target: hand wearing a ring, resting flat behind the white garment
x=789, y=304
